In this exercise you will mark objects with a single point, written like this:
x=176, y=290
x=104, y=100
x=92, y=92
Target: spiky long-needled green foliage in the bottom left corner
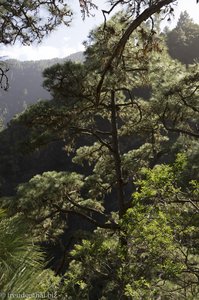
x=21, y=261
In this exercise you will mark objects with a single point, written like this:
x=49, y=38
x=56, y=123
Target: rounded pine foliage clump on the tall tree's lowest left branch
x=47, y=199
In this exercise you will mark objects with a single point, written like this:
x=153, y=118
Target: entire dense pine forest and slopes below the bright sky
x=99, y=165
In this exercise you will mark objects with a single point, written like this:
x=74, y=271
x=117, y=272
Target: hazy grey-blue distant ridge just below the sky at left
x=25, y=80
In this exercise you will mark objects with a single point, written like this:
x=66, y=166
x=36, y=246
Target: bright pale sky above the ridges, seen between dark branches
x=67, y=40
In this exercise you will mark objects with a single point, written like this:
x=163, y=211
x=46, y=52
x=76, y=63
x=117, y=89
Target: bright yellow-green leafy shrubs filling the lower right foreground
x=150, y=255
